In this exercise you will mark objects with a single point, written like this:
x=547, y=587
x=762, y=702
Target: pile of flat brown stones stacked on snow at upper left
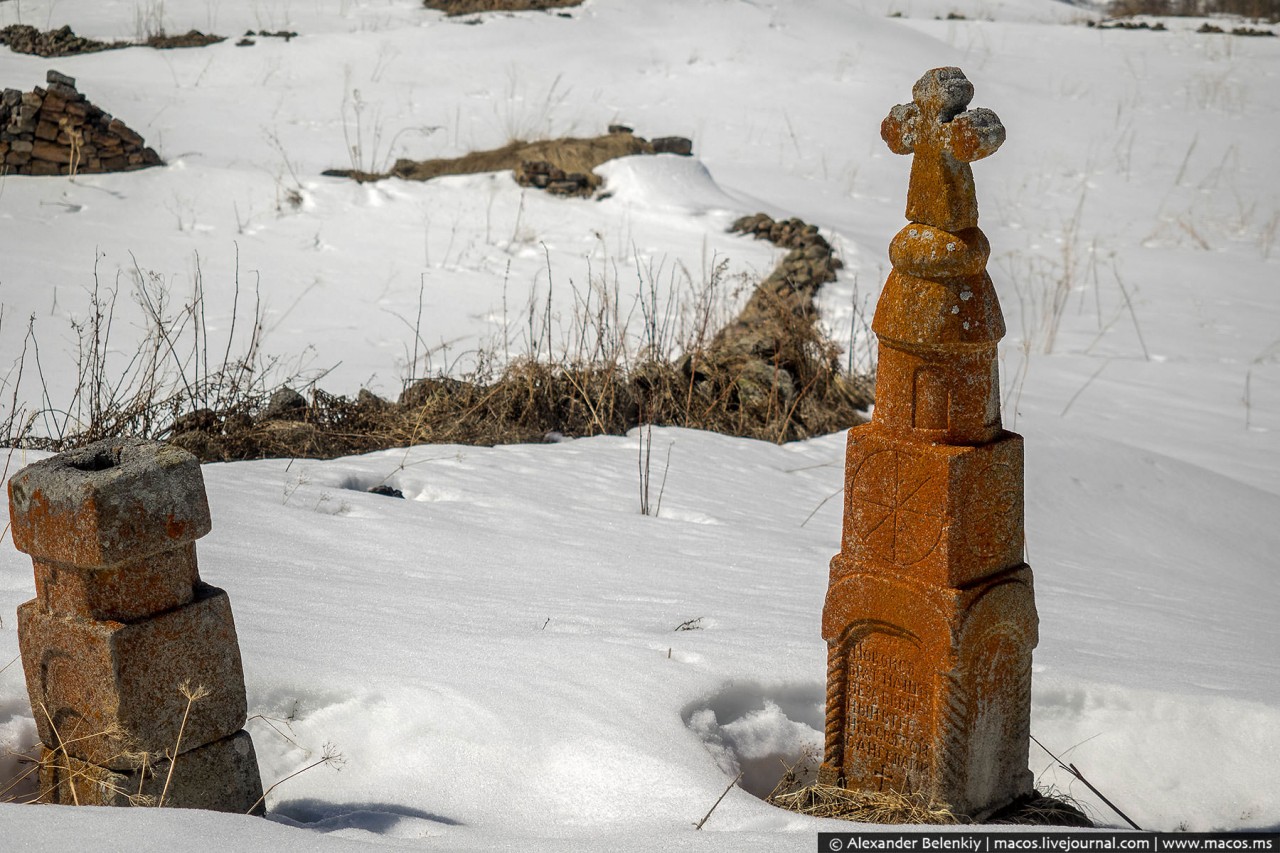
x=57, y=131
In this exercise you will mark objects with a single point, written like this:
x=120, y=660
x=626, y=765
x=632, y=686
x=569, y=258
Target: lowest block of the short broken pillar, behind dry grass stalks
x=222, y=777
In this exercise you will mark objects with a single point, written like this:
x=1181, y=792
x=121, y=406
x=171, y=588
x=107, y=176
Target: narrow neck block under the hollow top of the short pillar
x=125, y=592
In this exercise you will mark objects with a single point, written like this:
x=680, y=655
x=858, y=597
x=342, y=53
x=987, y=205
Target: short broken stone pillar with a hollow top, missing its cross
x=132, y=664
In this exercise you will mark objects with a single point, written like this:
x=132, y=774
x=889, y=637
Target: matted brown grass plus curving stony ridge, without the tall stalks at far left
x=771, y=373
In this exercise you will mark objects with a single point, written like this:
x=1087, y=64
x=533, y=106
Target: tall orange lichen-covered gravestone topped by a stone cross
x=930, y=617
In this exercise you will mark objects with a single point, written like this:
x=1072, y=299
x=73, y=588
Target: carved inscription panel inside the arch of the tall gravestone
x=890, y=700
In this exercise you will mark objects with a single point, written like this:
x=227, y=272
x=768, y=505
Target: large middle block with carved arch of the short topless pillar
x=111, y=694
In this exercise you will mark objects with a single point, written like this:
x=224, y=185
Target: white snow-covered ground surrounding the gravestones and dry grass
x=496, y=656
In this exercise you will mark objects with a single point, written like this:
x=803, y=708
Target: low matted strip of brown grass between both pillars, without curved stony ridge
x=528, y=402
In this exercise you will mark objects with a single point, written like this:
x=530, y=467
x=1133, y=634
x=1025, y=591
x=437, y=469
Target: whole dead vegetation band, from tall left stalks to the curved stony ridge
x=770, y=373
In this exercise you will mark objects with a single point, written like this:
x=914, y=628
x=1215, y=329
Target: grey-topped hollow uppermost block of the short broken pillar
x=108, y=503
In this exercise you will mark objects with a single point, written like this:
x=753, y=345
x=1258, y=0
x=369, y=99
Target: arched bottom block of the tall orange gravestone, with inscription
x=929, y=691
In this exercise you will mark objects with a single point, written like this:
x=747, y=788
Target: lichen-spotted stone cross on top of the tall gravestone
x=944, y=139
